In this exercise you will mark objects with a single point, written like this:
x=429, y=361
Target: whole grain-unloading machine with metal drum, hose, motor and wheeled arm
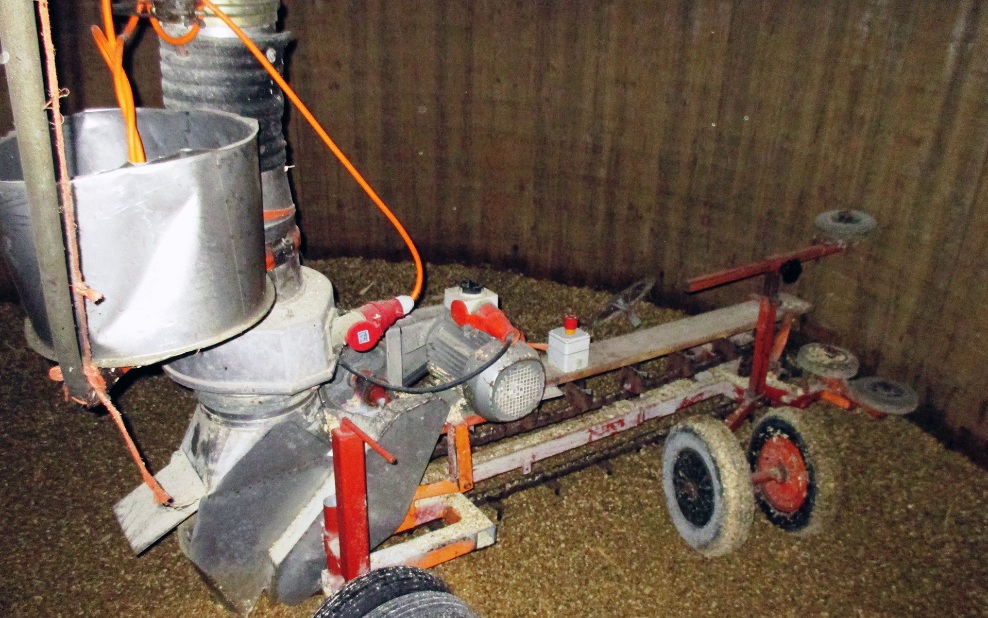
x=313, y=447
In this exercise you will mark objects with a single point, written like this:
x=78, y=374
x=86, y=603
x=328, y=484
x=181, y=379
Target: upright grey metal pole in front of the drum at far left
x=22, y=65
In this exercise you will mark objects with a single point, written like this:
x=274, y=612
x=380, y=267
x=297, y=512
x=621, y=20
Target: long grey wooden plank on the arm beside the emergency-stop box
x=664, y=339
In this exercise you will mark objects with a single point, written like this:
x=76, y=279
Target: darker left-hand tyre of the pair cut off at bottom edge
x=363, y=595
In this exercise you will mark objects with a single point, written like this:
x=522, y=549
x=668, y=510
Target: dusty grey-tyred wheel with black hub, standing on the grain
x=707, y=486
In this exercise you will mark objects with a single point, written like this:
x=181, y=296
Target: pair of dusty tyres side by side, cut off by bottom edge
x=394, y=592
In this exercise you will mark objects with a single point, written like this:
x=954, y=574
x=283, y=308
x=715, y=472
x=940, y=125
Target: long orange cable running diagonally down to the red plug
x=278, y=79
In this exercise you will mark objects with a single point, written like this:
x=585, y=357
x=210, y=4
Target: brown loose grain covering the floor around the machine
x=910, y=539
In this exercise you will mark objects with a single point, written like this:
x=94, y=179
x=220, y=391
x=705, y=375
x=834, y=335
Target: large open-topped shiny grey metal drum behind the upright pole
x=175, y=246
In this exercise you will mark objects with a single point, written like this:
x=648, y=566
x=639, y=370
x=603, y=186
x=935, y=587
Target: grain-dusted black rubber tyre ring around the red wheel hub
x=805, y=432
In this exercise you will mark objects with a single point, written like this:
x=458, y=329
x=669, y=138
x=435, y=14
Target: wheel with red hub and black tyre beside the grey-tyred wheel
x=793, y=476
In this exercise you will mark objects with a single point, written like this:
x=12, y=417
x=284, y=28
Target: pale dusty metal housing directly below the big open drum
x=286, y=353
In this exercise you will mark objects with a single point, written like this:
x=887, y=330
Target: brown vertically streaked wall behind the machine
x=602, y=142
